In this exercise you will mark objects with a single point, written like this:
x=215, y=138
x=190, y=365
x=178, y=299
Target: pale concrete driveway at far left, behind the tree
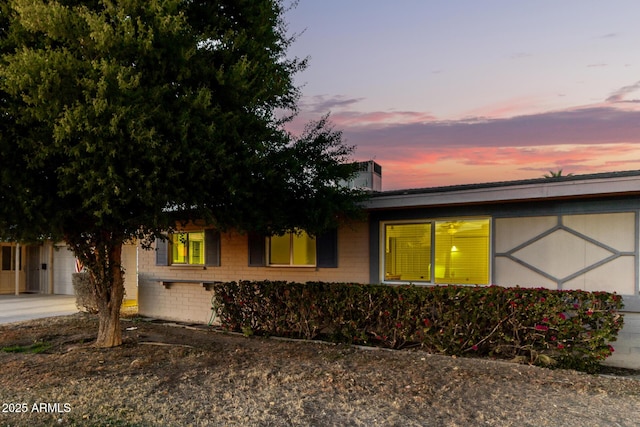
x=29, y=306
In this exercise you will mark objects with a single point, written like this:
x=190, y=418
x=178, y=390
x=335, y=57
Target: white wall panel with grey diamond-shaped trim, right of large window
x=591, y=252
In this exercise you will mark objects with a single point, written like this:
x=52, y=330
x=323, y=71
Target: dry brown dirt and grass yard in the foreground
x=172, y=375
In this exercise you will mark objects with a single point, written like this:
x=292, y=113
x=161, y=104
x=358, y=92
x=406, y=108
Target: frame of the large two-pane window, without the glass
x=433, y=249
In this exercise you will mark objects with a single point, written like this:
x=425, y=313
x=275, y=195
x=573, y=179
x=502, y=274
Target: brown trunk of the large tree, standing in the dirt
x=109, y=289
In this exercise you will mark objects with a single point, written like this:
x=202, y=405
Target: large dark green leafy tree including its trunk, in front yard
x=120, y=117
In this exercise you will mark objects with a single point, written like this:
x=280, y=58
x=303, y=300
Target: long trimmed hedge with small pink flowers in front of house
x=569, y=329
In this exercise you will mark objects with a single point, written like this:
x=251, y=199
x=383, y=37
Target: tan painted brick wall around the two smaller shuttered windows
x=191, y=302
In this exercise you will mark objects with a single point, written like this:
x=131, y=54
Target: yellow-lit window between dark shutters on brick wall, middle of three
x=295, y=248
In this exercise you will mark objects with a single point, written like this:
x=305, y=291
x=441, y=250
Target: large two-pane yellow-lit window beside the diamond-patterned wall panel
x=449, y=251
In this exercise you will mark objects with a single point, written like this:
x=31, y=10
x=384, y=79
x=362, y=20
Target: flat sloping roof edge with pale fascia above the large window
x=572, y=186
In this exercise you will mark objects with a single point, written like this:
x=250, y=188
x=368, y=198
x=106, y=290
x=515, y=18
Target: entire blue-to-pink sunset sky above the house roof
x=521, y=91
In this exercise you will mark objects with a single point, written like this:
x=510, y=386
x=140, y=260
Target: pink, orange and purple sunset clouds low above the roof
x=416, y=149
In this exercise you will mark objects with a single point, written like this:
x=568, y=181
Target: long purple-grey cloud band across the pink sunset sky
x=588, y=126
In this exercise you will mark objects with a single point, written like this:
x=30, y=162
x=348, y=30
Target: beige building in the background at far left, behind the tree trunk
x=47, y=268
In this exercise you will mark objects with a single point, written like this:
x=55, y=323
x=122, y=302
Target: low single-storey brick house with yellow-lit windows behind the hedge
x=575, y=232
